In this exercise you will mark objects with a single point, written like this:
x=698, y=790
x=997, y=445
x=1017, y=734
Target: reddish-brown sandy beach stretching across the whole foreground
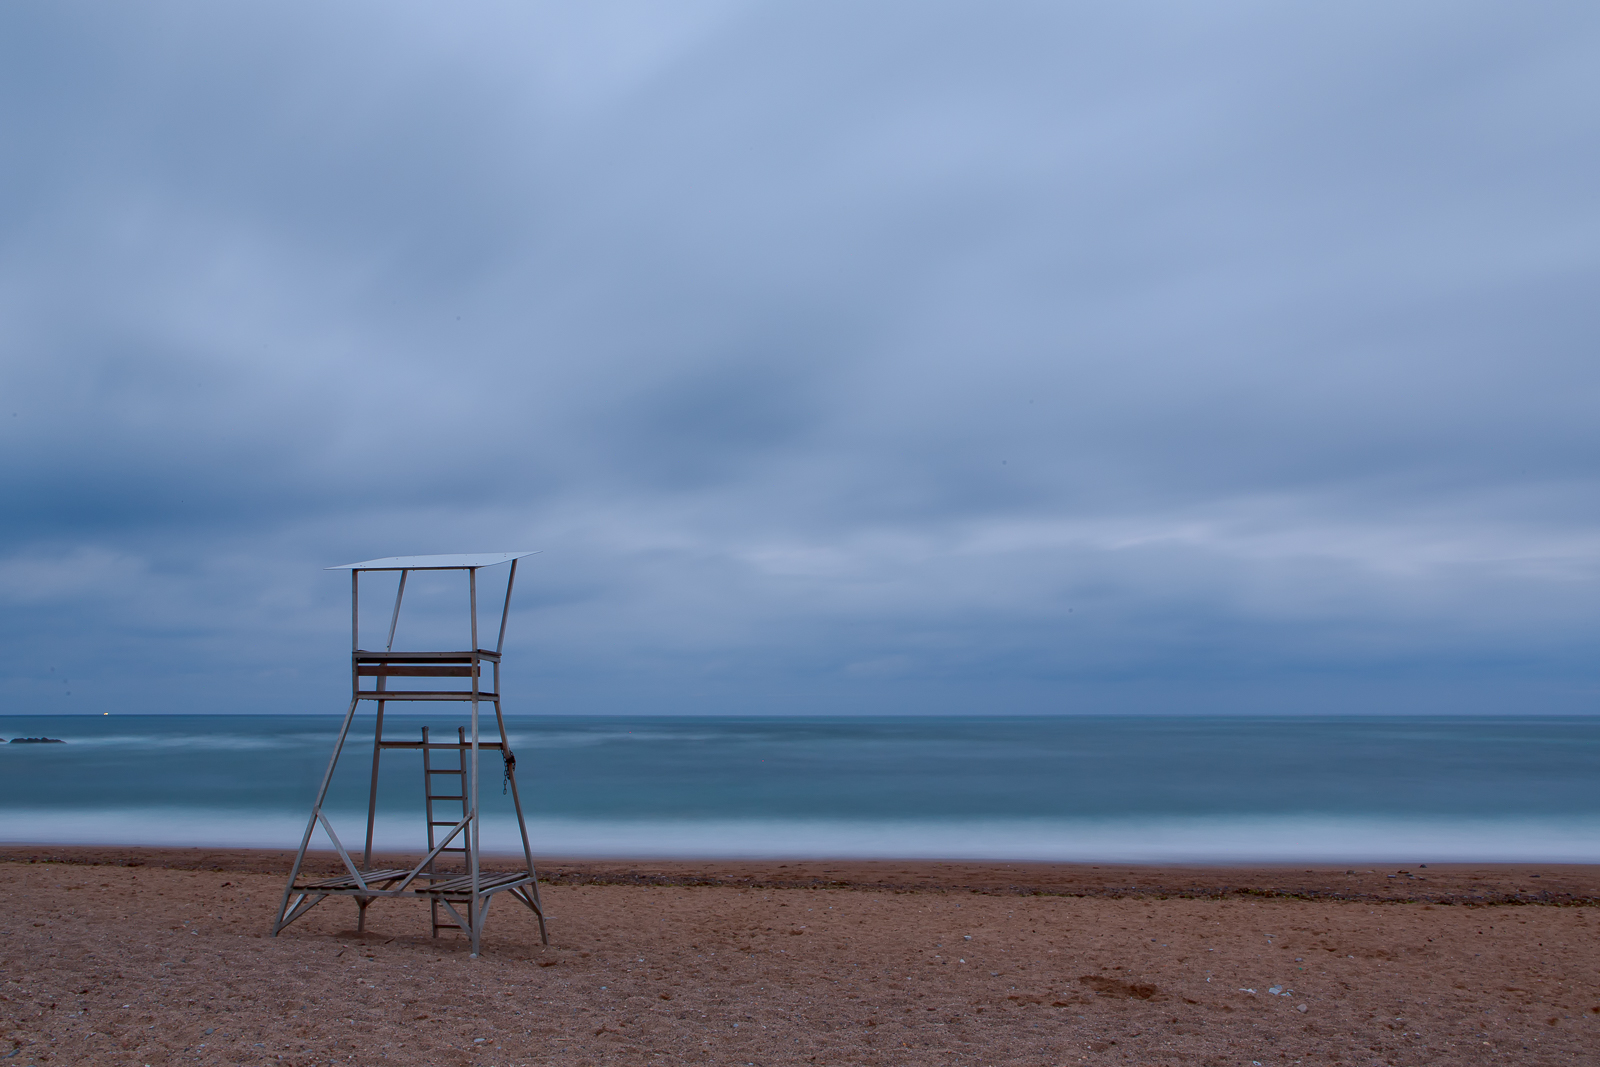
x=161, y=957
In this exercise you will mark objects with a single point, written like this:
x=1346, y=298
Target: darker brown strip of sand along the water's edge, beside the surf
x=1422, y=884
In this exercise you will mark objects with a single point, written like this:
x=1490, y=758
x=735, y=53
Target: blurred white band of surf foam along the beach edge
x=1199, y=841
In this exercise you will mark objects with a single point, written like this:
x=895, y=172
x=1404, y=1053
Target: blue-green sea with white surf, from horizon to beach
x=1066, y=789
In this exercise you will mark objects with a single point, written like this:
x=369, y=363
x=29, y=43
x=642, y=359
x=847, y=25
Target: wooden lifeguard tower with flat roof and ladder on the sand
x=460, y=898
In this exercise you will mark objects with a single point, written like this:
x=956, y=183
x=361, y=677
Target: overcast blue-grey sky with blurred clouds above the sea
x=839, y=358
